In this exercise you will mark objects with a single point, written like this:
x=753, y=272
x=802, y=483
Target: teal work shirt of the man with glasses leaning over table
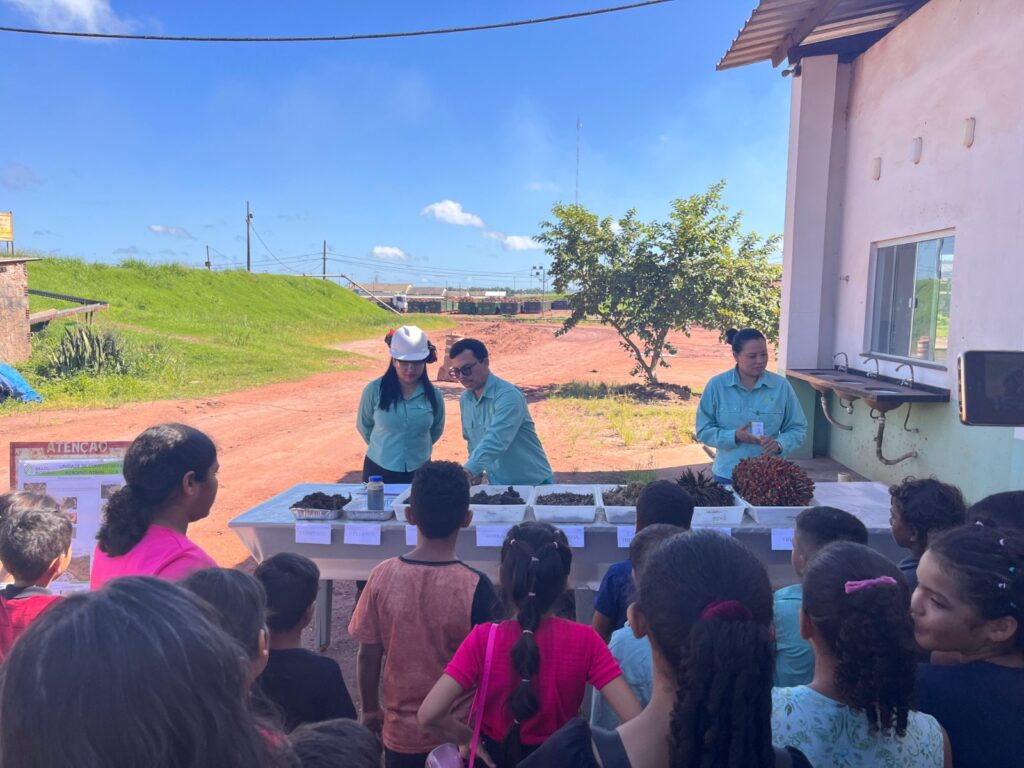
x=502, y=438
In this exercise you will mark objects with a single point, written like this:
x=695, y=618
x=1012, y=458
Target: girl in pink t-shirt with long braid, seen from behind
x=541, y=664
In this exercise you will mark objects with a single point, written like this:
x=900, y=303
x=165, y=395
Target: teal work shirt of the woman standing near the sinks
x=727, y=406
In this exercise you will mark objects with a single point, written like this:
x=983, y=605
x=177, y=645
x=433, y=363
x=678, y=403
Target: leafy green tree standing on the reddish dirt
x=648, y=279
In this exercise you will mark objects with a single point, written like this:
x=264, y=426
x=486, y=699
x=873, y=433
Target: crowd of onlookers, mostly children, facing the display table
x=174, y=662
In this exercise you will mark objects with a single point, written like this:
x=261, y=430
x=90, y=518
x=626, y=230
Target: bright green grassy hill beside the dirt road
x=192, y=332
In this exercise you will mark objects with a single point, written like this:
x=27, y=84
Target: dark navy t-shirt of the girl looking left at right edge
x=982, y=706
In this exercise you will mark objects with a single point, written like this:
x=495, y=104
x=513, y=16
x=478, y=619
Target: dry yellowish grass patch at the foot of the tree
x=603, y=415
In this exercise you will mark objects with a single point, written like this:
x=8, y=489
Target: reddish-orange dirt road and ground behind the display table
x=273, y=438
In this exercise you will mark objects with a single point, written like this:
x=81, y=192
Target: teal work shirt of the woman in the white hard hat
x=402, y=438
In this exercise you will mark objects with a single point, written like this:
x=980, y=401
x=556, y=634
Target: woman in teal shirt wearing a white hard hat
x=402, y=414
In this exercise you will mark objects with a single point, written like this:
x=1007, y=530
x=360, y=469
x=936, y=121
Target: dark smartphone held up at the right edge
x=992, y=389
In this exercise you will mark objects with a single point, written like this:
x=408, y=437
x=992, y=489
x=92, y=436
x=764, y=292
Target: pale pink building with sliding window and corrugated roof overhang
x=904, y=217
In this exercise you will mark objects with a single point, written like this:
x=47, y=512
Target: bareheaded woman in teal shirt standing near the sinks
x=749, y=411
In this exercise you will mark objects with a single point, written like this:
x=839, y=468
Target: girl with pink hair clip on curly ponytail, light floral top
x=858, y=709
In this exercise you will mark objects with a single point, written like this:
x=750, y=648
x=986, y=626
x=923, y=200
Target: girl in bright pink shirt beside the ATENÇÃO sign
x=172, y=481
